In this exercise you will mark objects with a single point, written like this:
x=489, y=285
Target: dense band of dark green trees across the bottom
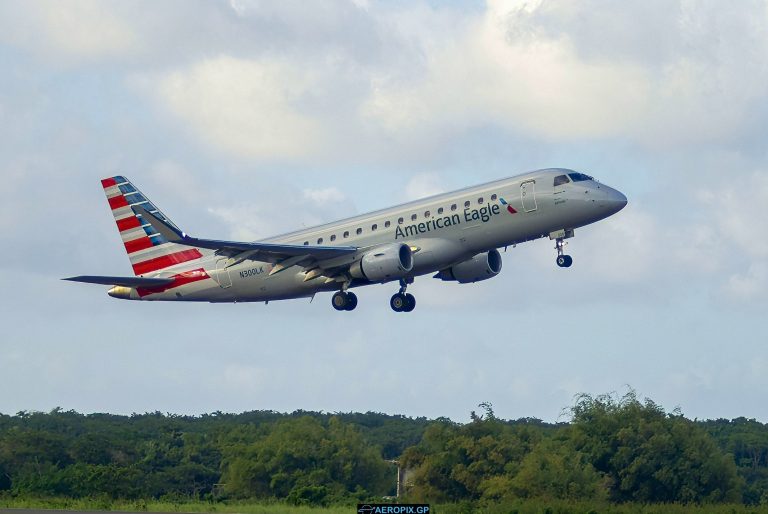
x=612, y=449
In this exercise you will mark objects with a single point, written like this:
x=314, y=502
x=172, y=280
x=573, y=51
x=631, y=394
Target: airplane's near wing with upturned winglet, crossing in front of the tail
x=283, y=255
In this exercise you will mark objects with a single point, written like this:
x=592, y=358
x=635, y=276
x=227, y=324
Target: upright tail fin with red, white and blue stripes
x=147, y=249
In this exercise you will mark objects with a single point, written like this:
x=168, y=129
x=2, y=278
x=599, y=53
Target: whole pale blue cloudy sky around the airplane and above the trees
x=244, y=119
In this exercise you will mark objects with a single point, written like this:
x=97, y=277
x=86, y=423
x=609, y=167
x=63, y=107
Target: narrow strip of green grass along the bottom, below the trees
x=517, y=507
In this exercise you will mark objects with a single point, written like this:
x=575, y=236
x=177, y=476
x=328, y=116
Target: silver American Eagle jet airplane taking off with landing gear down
x=454, y=235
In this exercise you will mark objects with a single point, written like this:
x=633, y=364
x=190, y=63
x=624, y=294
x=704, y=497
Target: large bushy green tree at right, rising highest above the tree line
x=649, y=455
